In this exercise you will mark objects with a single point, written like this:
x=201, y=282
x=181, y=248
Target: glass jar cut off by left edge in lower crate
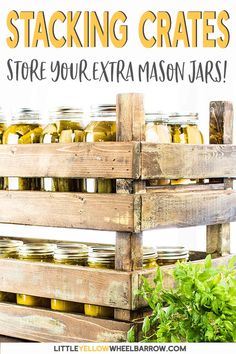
x=9, y=249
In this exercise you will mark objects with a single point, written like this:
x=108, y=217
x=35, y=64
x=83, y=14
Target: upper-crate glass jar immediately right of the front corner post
x=157, y=131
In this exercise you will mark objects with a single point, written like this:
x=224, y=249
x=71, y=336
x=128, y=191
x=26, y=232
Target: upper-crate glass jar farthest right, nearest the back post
x=185, y=130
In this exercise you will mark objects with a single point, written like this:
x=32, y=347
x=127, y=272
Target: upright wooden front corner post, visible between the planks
x=130, y=127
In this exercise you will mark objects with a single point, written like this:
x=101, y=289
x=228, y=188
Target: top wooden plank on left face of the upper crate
x=108, y=160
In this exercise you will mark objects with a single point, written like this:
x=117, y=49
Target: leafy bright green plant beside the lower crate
x=201, y=307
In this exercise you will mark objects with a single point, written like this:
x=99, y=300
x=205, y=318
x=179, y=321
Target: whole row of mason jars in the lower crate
x=101, y=257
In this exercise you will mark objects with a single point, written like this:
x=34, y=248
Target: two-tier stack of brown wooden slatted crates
x=131, y=210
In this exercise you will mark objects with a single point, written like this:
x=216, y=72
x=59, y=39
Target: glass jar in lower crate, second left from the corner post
x=69, y=254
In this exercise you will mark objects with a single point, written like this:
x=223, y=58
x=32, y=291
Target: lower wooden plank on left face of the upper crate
x=77, y=210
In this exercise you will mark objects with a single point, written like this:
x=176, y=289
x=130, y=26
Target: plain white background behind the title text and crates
x=162, y=96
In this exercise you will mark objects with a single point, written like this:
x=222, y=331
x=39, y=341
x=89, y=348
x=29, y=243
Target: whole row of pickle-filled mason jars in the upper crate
x=68, y=125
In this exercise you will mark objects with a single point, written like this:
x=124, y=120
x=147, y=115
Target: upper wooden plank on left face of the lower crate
x=72, y=283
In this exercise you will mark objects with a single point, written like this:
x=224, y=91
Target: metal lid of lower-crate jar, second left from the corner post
x=71, y=251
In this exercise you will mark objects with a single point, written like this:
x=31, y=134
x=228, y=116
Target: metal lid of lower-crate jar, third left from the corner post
x=36, y=249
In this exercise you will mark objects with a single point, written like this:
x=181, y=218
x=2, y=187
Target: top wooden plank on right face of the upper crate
x=173, y=161
